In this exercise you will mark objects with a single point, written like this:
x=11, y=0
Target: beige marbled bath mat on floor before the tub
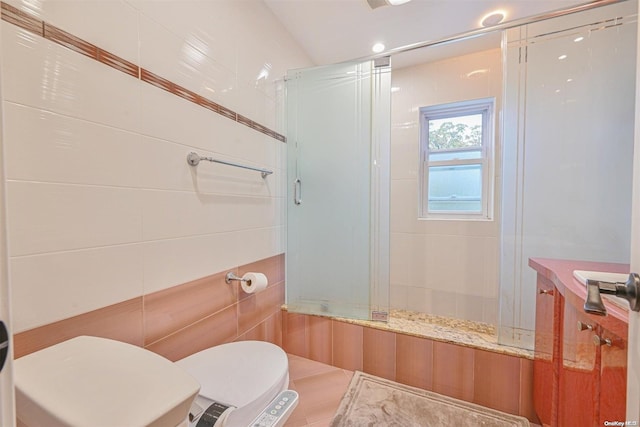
x=374, y=401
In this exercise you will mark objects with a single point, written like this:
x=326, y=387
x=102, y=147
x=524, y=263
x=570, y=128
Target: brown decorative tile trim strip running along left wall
x=27, y=22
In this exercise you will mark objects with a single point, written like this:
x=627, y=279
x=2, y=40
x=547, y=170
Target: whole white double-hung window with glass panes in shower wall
x=456, y=146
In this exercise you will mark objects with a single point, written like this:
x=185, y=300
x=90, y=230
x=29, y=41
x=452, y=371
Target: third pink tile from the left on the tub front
x=348, y=344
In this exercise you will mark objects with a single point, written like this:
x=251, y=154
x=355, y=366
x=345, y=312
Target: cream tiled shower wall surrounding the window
x=447, y=268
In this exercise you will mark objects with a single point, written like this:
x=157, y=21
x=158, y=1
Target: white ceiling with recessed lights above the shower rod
x=338, y=30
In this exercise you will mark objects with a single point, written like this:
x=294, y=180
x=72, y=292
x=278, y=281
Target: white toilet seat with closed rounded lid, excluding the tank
x=244, y=374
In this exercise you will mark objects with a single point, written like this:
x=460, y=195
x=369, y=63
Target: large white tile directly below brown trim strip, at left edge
x=54, y=78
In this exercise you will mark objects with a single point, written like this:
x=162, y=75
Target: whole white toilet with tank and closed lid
x=105, y=383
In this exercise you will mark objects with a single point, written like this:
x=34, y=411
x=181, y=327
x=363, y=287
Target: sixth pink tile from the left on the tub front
x=453, y=370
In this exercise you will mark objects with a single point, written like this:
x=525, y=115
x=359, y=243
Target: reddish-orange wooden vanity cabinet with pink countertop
x=580, y=371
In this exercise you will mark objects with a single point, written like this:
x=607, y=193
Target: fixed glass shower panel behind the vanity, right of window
x=568, y=146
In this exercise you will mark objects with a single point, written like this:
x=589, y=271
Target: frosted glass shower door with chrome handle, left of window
x=338, y=120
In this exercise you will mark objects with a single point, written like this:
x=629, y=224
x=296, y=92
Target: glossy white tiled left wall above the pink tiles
x=102, y=206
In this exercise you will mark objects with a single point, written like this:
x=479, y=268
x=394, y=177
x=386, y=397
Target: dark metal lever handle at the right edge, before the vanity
x=629, y=290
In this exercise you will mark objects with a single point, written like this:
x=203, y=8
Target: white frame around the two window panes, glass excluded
x=483, y=106
